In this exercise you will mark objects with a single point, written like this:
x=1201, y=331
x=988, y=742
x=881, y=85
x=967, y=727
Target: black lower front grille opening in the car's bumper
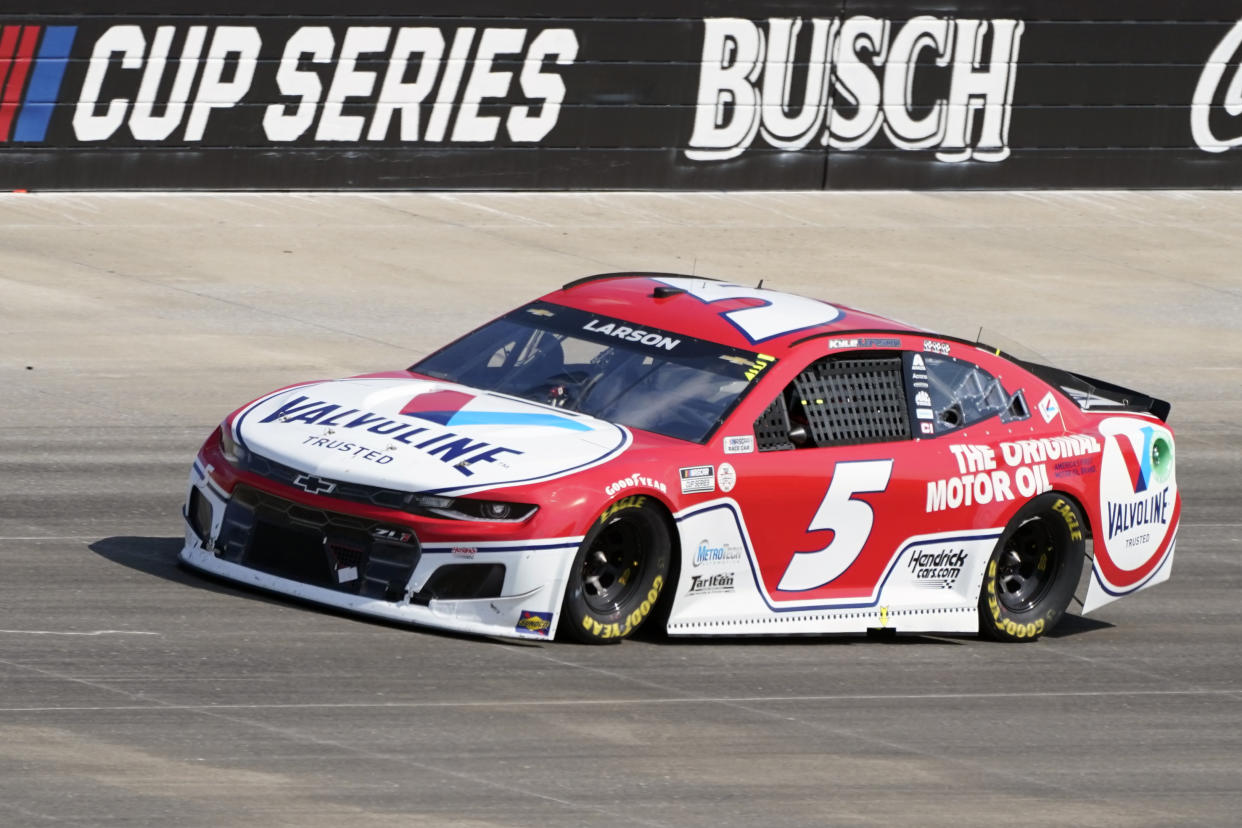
x=317, y=547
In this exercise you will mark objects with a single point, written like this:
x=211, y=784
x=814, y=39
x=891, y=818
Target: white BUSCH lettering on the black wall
x=928, y=84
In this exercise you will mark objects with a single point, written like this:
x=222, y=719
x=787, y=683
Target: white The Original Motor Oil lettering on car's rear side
x=983, y=481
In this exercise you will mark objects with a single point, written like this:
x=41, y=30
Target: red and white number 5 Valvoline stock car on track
x=697, y=455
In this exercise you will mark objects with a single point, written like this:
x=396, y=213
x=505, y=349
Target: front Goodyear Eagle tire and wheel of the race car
x=619, y=574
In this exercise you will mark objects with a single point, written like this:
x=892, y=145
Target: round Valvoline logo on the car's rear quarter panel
x=1140, y=503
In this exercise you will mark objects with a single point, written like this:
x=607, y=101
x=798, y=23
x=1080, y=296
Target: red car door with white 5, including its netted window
x=827, y=495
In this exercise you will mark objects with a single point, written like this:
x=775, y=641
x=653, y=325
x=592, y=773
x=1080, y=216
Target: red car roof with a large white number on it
x=710, y=310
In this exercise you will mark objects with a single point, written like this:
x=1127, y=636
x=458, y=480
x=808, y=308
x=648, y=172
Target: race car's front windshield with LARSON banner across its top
x=650, y=379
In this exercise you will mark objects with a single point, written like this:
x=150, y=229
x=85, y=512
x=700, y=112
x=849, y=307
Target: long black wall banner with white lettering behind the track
x=674, y=95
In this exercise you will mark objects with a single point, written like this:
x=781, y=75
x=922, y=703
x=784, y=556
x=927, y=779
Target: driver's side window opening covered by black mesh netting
x=839, y=402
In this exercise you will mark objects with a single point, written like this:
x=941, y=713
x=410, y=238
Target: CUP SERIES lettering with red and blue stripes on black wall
x=281, y=84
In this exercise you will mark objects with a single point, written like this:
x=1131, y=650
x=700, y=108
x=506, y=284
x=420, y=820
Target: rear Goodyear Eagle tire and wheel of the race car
x=1034, y=570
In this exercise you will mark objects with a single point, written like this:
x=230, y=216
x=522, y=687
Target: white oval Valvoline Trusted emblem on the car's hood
x=423, y=436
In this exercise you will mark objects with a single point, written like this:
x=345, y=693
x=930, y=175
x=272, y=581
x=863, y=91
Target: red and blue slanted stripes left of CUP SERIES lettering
x=33, y=61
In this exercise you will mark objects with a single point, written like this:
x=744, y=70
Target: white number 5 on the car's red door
x=849, y=520
